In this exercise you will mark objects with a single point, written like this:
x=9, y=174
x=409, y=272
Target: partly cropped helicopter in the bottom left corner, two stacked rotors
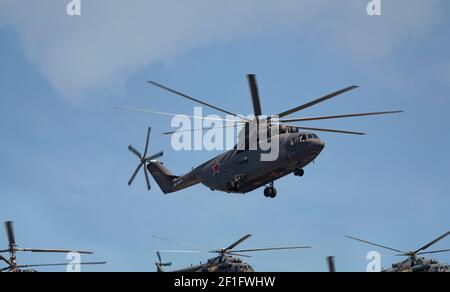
x=11, y=262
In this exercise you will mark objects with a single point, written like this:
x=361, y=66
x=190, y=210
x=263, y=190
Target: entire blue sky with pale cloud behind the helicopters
x=65, y=164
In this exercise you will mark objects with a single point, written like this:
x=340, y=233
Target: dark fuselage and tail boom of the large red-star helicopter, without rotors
x=242, y=171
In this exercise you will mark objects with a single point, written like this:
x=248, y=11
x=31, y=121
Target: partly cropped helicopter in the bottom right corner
x=413, y=262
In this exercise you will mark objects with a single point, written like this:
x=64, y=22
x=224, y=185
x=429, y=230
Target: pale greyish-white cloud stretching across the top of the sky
x=114, y=38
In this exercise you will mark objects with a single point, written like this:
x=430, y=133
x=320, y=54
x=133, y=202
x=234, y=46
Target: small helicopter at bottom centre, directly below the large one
x=227, y=260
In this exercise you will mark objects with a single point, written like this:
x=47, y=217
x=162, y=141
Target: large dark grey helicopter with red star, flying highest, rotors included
x=241, y=170
